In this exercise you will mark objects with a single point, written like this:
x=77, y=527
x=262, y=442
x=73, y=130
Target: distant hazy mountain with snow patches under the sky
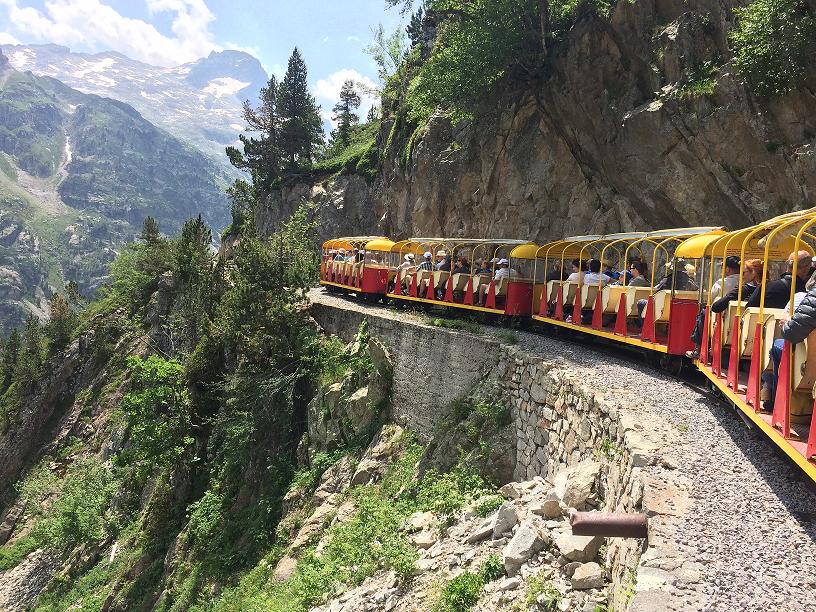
x=199, y=102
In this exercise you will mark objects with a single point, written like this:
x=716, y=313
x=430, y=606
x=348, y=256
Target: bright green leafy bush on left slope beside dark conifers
x=157, y=410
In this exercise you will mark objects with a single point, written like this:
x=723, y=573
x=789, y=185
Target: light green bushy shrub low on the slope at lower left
x=73, y=510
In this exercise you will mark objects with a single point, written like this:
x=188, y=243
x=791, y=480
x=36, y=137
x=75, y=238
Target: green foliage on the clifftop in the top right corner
x=774, y=44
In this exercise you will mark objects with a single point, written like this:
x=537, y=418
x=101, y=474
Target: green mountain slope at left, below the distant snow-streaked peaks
x=78, y=175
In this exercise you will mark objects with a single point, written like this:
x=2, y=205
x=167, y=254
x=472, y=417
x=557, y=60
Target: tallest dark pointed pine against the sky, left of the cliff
x=301, y=126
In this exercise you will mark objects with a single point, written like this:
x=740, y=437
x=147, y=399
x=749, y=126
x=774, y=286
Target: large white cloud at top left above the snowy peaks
x=97, y=26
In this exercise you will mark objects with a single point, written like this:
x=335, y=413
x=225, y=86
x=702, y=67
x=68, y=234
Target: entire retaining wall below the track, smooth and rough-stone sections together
x=558, y=417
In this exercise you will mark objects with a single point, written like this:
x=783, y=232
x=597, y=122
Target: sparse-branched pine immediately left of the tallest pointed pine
x=261, y=155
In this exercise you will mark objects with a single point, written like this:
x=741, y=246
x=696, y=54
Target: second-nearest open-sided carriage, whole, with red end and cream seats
x=659, y=319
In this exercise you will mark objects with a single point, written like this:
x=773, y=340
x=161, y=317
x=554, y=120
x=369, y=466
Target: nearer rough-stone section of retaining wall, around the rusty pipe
x=560, y=421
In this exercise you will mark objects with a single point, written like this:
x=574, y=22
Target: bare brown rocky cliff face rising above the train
x=615, y=139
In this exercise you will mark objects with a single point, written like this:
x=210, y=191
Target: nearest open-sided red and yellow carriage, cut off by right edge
x=734, y=353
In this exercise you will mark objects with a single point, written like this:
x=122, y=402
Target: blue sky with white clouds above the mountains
x=331, y=34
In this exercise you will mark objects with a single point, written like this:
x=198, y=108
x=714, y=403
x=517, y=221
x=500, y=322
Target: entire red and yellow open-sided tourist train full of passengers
x=673, y=293
